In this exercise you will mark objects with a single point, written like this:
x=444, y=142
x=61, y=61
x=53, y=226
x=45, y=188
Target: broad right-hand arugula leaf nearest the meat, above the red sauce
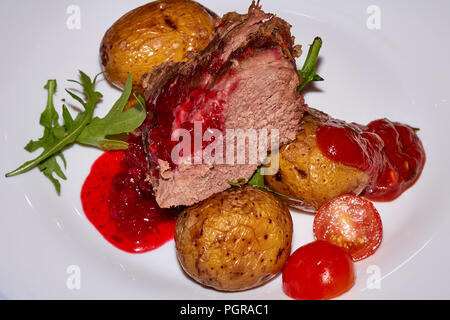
x=115, y=122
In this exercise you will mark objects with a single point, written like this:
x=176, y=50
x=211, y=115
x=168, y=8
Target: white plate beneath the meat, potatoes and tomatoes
x=400, y=71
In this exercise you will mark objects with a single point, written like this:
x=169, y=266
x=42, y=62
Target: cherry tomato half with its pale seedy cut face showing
x=350, y=222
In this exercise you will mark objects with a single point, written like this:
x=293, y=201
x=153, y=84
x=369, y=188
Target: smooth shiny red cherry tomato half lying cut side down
x=318, y=271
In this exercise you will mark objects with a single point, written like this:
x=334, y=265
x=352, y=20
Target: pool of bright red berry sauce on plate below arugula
x=120, y=204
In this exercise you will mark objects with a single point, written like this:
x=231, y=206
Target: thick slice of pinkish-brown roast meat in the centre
x=249, y=67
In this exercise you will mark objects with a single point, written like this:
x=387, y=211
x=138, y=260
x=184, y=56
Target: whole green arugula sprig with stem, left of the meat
x=84, y=129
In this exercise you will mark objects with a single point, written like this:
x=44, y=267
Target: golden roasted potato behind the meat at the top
x=152, y=34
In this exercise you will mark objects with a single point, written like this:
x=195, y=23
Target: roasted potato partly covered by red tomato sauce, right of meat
x=306, y=174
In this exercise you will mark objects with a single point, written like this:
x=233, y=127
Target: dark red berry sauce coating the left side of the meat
x=185, y=98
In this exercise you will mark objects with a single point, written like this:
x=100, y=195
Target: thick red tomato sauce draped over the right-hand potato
x=391, y=154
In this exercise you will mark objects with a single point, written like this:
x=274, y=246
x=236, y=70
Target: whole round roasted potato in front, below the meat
x=235, y=240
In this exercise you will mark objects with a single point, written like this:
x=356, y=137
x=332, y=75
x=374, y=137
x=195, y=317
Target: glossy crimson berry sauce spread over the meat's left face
x=177, y=104
